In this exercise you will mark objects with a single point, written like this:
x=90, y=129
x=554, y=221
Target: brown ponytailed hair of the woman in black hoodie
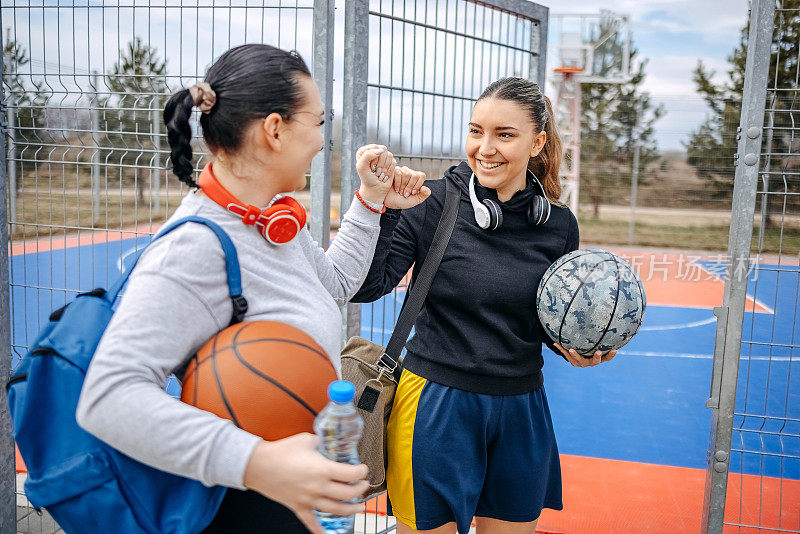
x=528, y=95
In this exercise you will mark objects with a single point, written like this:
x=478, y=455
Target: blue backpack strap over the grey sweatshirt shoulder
x=231, y=265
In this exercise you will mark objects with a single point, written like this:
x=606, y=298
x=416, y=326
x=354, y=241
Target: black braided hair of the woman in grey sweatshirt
x=251, y=82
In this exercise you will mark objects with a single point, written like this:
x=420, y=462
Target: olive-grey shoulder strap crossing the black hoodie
x=419, y=291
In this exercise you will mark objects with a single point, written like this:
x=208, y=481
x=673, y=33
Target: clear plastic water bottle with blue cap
x=339, y=428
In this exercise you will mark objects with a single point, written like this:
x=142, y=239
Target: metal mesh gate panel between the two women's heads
x=413, y=71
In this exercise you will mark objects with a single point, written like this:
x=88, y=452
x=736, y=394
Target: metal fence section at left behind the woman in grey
x=86, y=157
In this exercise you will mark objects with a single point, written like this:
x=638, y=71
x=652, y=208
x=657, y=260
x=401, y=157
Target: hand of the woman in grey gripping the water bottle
x=292, y=472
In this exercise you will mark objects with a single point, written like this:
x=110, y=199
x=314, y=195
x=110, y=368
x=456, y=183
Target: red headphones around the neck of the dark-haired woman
x=279, y=223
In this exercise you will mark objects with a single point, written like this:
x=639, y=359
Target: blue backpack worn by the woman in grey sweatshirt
x=85, y=484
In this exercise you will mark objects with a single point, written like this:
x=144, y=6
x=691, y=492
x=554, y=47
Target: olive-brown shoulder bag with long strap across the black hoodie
x=375, y=371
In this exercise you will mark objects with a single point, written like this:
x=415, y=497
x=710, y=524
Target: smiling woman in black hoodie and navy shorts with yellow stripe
x=470, y=432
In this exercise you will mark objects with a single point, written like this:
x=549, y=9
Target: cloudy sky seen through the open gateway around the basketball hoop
x=674, y=34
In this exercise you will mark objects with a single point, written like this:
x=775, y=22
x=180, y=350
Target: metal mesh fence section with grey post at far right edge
x=754, y=452
